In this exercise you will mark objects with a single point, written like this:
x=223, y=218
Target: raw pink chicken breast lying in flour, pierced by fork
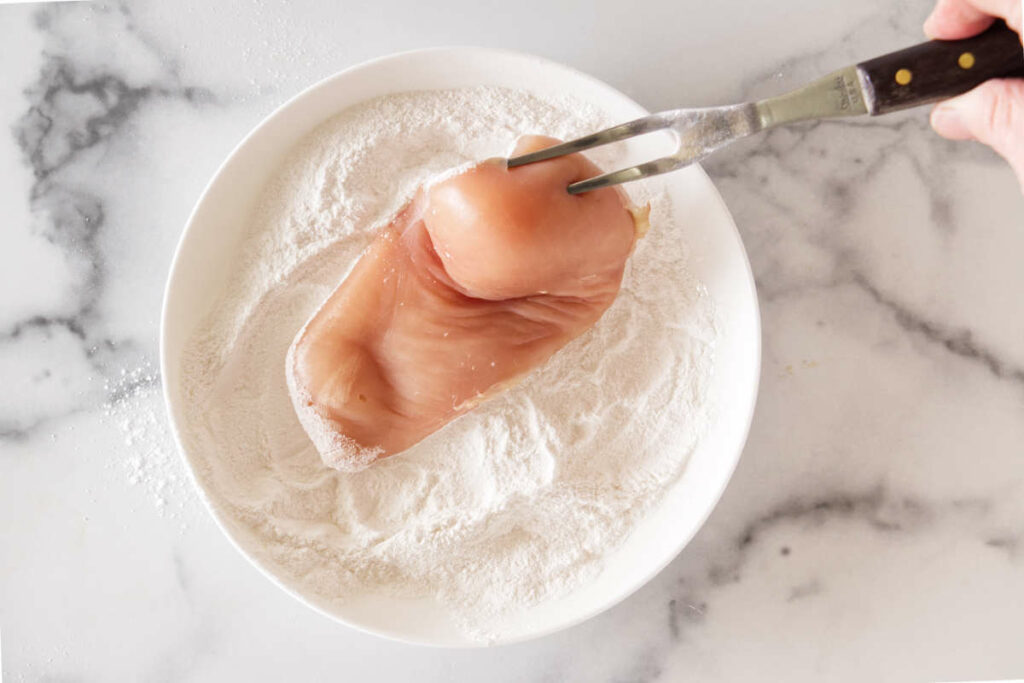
x=477, y=282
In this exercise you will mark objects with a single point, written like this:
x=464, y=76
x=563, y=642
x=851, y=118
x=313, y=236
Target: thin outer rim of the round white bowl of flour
x=308, y=93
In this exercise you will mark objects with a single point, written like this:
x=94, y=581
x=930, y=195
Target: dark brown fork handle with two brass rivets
x=941, y=69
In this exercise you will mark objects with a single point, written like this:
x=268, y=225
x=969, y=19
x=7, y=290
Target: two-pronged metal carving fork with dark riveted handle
x=919, y=75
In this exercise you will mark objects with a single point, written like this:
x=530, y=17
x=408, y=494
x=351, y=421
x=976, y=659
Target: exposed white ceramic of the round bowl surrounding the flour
x=203, y=262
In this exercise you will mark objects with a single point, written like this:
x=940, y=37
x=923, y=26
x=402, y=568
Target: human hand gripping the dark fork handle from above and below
x=993, y=113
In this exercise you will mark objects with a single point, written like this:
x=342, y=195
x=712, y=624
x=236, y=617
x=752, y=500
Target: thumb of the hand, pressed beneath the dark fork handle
x=992, y=114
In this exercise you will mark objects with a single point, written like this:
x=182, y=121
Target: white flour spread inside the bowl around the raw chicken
x=518, y=502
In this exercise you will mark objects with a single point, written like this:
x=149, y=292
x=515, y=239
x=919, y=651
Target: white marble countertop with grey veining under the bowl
x=875, y=530
